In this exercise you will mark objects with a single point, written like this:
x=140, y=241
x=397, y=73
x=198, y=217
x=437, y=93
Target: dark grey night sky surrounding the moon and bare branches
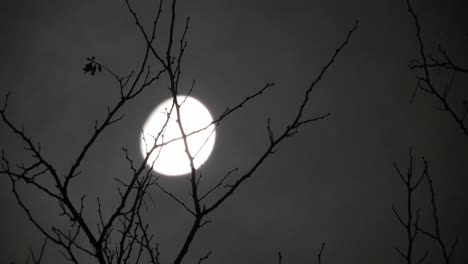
x=332, y=182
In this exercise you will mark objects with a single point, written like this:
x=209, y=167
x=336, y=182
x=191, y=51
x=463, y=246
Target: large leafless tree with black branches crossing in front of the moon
x=123, y=236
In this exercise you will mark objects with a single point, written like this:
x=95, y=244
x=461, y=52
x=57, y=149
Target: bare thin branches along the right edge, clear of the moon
x=412, y=222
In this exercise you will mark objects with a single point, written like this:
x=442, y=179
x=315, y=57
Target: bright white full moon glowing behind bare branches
x=171, y=159
